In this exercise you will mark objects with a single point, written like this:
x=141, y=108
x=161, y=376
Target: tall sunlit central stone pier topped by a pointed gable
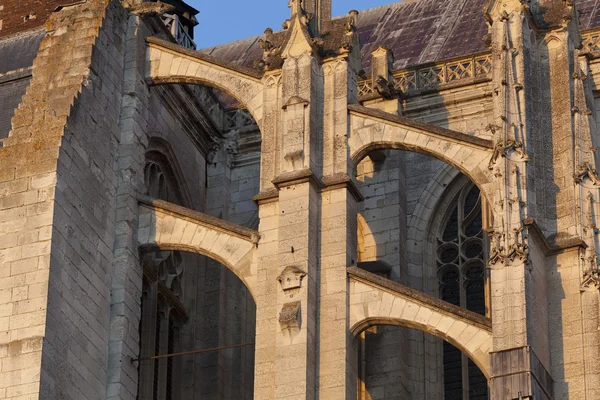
x=289, y=215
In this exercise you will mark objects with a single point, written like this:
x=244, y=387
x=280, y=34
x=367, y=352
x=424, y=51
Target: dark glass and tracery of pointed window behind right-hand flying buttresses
x=461, y=258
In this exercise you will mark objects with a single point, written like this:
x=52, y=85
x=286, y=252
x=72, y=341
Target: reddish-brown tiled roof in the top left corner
x=23, y=15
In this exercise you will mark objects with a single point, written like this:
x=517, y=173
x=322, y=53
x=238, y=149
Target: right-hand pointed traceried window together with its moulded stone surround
x=456, y=252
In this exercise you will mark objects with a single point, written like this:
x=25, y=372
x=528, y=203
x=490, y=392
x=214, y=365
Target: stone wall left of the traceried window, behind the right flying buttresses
x=402, y=193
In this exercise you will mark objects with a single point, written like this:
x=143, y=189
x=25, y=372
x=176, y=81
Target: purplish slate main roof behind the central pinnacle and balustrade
x=417, y=31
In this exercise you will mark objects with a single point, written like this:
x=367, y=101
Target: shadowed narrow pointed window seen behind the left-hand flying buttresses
x=163, y=309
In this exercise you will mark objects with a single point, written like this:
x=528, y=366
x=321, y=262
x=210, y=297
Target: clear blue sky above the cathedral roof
x=223, y=21
